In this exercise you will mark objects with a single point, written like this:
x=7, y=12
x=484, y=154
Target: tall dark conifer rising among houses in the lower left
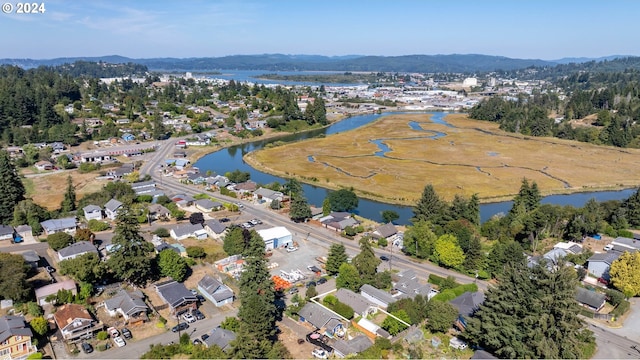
x=132, y=260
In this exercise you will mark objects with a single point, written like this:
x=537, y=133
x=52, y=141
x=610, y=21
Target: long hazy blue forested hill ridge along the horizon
x=281, y=62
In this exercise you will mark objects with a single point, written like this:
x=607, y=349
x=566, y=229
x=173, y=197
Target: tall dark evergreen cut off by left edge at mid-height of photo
x=11, y=188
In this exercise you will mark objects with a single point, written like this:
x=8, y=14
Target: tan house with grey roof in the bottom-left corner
x=15, y=338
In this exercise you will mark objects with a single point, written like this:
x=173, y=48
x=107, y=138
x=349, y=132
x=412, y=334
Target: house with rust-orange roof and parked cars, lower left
x=75, y=322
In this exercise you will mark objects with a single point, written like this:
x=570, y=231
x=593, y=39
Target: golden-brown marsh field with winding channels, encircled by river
x=465, y=158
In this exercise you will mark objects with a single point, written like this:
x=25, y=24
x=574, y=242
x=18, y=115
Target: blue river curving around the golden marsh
x=231, y=158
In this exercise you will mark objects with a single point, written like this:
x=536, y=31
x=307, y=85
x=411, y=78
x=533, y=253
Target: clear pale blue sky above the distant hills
x=538, y=29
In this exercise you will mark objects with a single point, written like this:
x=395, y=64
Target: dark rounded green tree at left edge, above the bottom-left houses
x=13, y=281
